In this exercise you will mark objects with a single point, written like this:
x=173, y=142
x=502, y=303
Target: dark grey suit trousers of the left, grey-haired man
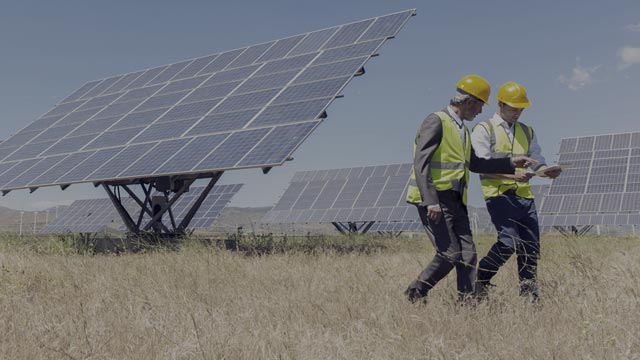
x=454, y=246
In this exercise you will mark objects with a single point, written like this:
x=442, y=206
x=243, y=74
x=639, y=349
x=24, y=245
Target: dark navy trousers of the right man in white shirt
x=516, y=221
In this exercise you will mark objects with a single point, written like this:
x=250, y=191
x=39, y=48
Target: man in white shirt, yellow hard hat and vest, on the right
x=509, y=198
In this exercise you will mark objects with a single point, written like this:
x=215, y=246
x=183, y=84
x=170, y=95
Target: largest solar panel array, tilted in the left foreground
x=248, y=107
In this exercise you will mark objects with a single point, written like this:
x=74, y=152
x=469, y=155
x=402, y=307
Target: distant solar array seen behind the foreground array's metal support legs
x=97, y=215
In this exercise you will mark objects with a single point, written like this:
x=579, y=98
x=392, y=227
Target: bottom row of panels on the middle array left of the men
x=406, y=213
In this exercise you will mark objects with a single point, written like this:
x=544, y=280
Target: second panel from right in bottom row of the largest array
x=232, y=150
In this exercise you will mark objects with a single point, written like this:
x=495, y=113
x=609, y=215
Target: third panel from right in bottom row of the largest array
x=190, y=155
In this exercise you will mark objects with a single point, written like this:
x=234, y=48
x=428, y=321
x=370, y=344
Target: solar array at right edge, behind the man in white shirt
x=602, y=187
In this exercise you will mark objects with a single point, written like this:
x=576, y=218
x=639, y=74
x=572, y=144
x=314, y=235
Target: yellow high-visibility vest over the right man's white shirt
x=502, y=147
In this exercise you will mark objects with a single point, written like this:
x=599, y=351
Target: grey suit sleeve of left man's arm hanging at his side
x=428, y=140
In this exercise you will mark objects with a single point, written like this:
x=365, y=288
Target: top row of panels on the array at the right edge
x=601, y=142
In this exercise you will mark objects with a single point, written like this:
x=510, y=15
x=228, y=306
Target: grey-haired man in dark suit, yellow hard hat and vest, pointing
x=443, y=157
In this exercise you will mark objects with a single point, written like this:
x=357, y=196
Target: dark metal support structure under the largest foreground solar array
x=153, y=221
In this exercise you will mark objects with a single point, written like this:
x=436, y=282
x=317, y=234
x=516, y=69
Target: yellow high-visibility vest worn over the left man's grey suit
x=449, y=166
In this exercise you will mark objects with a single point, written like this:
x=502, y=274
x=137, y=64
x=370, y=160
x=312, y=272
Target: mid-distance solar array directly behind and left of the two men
x=372, y=193
